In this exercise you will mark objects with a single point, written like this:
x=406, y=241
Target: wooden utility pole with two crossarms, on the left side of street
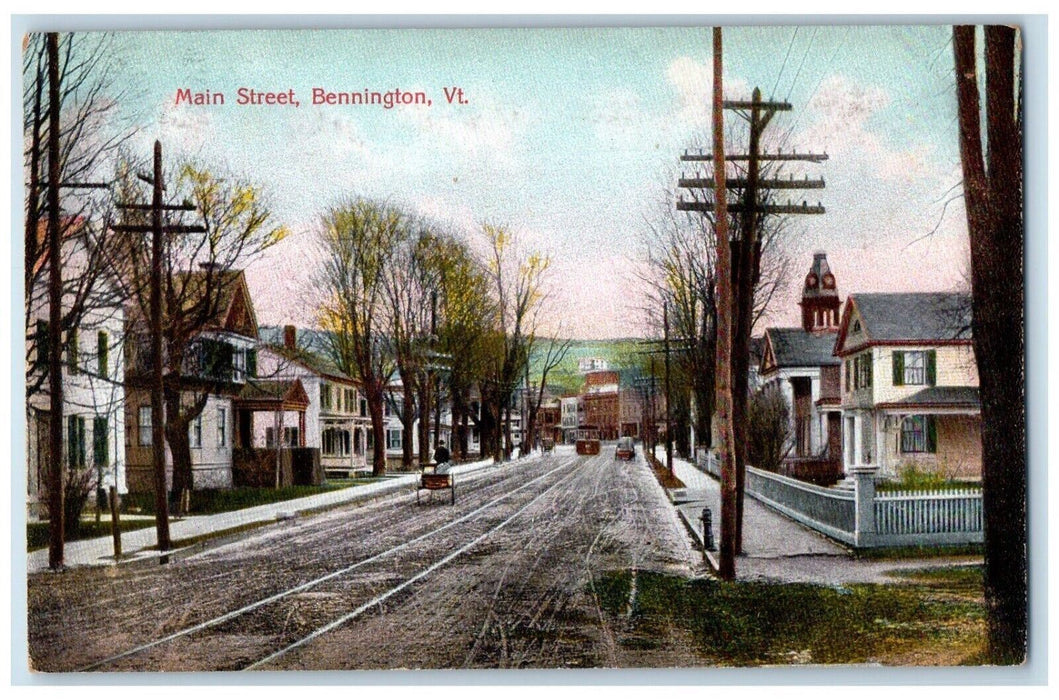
x=158, y=380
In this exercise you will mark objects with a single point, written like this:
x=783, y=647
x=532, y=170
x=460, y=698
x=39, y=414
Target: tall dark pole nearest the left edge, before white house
x=56, y=510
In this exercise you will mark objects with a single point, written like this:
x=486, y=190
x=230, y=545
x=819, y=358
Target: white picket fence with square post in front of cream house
x=867, y=518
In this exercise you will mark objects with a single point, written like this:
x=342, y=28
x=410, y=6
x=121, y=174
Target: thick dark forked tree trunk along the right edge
x=993, y=194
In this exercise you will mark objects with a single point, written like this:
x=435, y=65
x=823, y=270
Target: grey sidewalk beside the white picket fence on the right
x=778, y=549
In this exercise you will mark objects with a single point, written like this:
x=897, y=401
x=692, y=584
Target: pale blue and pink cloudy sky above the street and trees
x=572, y=139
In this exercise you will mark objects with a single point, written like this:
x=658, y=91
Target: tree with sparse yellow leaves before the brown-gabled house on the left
x=201, y=274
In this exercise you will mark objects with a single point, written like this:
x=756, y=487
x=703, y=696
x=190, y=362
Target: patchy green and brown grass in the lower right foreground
x=937, y=619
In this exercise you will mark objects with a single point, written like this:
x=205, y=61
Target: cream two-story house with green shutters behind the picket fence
x=910, y=383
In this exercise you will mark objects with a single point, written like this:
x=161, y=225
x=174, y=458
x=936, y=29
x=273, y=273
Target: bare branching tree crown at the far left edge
x=91, y=136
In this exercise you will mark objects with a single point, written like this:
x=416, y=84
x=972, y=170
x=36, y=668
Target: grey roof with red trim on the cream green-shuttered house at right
x=909, y=318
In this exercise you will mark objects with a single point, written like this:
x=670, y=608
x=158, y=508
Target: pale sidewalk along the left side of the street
x=139, y=544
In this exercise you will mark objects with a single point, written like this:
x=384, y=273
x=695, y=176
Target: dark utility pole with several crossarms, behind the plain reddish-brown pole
x=743, y=258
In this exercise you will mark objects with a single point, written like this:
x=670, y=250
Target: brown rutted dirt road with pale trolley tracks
x=505, y=579
